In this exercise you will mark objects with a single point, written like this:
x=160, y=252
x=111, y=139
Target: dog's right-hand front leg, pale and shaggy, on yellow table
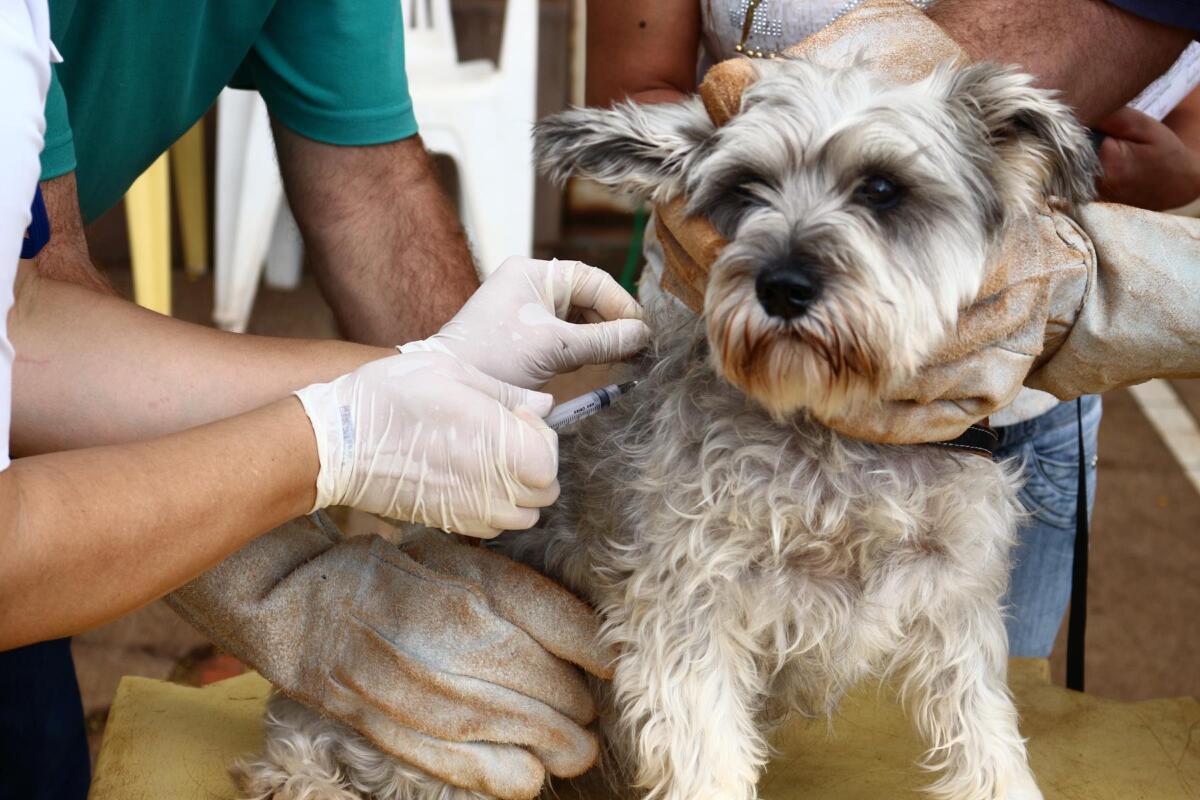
x=953, y=664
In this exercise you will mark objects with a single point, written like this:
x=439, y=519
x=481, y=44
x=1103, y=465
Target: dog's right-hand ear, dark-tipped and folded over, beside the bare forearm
x=1039, y=146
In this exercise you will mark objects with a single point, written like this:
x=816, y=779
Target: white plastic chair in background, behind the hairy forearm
x=477, y=113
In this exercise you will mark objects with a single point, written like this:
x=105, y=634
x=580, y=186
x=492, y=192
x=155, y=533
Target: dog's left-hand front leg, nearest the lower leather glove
x=688, y=690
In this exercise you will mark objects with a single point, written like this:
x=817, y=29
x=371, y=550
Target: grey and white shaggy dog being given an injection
x=752, y=564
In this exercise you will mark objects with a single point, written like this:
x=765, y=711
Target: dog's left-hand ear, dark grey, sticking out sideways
x=640, y=151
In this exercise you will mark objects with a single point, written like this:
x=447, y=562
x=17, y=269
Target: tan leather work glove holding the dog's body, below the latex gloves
x=454, y=659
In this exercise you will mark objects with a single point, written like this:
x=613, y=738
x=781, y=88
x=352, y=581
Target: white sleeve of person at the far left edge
x=26, y=67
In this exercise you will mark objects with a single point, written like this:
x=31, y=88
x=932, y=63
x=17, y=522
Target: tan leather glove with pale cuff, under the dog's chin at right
x=1079, y=305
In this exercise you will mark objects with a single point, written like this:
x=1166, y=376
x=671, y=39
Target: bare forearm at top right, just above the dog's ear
x=1096, y=55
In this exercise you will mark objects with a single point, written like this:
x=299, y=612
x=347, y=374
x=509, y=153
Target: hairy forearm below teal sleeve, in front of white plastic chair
x=381, y=236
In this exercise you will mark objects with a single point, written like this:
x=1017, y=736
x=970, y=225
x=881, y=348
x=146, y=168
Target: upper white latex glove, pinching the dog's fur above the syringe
x=515, y=327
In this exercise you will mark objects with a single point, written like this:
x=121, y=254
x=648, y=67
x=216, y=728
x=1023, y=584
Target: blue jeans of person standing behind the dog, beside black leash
x=1040, y=587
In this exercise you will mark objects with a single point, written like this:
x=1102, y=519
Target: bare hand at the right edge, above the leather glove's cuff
x=1145, y=164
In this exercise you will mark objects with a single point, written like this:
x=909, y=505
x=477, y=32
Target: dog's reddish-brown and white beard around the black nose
x=879, y=321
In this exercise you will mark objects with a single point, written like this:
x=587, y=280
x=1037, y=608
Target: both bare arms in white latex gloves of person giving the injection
x=89, y=534
